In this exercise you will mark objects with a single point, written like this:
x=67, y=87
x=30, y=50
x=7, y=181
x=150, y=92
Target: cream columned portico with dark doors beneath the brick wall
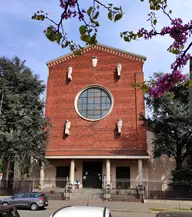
x=96, y=172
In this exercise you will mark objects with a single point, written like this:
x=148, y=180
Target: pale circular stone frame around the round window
x=92, y=86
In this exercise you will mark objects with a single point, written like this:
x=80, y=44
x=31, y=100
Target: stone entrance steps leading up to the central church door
x=89, y=194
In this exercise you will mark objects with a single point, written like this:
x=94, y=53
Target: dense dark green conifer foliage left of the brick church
x=22, y=133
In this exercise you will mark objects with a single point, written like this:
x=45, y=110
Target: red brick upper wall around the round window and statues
x=99, y=137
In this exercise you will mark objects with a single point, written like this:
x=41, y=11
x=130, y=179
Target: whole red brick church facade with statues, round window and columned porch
x=96, y=135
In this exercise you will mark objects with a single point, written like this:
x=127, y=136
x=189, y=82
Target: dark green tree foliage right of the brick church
x=170, y=123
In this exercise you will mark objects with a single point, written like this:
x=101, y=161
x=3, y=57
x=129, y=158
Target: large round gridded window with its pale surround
x=94, y=103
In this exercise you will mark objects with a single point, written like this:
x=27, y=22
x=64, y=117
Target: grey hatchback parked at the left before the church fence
x=32, y=200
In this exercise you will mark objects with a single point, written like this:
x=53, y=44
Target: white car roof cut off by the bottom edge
x=82, y=211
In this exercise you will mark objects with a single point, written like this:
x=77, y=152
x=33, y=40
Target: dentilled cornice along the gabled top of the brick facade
x=101, y=47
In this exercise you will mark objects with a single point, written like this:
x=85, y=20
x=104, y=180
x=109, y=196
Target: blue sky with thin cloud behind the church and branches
x=21, y=36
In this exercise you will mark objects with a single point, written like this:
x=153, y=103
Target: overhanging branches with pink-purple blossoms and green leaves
x=180, y=33
